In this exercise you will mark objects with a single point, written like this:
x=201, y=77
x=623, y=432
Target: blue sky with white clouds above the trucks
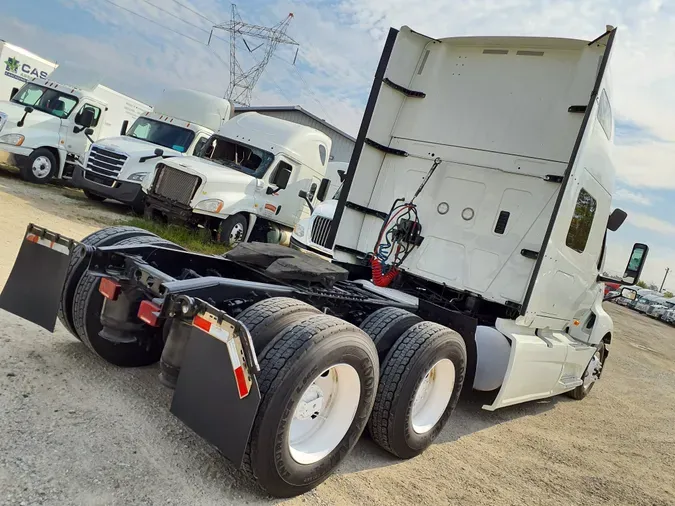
x=145, y=46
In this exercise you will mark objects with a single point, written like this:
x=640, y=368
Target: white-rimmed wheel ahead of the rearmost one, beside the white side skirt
x=420, y=384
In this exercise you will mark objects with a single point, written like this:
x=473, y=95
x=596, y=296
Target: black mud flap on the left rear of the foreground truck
x=33, y=290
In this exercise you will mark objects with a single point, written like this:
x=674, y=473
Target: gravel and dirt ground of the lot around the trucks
x=75, y=430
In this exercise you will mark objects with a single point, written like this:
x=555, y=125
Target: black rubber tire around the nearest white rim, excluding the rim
x=288, y=366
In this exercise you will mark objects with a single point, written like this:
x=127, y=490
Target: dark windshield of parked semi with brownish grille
x=238, y=156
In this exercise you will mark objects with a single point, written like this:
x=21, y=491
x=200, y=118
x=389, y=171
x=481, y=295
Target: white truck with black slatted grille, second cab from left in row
x=179, y=125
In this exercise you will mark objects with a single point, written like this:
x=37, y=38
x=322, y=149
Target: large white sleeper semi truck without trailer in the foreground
x=469, y=241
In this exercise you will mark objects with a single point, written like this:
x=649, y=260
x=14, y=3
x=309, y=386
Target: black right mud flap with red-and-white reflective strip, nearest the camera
x=217, y=394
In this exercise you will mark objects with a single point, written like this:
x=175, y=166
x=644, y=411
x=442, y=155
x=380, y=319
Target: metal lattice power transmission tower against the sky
x=243, y=81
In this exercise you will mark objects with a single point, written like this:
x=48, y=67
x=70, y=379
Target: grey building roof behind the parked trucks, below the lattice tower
x=343, y=144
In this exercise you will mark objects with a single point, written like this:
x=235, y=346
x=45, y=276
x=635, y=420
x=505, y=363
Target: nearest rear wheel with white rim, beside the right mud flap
x=317, y=382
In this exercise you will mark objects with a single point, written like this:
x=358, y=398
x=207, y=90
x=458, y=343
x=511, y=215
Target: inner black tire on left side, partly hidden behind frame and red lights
x=87, y=305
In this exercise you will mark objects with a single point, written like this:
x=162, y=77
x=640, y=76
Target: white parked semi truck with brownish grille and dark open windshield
x=245, y=182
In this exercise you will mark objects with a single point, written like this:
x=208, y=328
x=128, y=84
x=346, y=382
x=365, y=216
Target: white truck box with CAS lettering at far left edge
x=20, y=66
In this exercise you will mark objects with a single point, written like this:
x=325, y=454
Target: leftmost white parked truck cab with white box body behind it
x=48, y=124
